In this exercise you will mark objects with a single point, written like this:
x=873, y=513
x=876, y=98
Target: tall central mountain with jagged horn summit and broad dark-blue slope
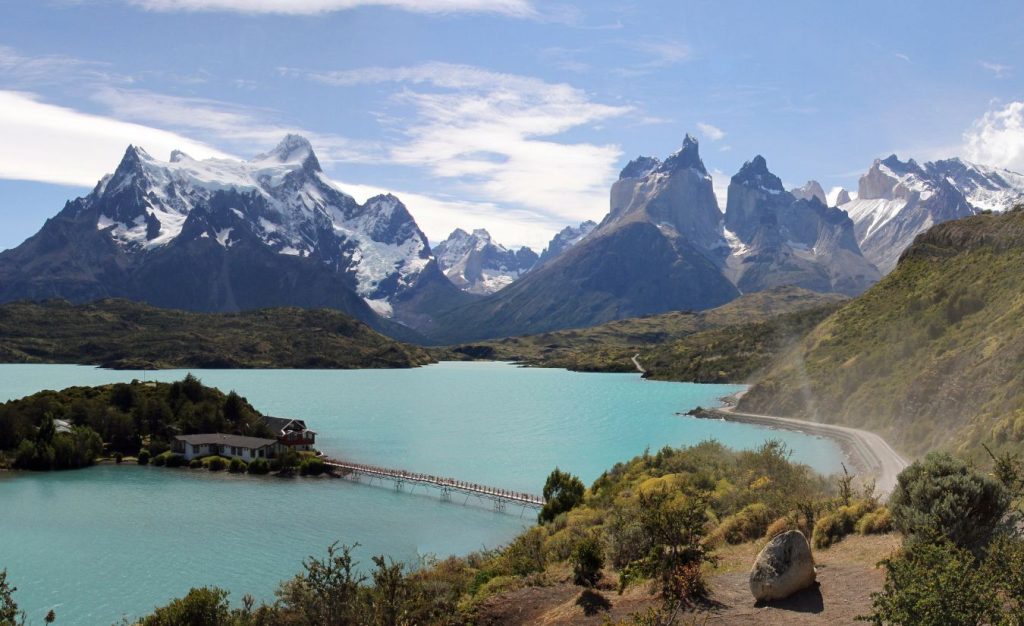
x=660, y=248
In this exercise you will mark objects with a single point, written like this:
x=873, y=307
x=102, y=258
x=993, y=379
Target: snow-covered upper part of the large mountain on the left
x=281, y=197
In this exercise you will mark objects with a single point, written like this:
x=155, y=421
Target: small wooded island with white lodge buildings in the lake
x=166, y=425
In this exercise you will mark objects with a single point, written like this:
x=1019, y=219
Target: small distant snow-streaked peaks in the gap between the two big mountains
x=478, y=265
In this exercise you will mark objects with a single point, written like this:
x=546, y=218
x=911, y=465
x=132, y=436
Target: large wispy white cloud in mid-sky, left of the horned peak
x=494, y=135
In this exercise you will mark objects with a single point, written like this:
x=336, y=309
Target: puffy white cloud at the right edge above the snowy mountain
x=998, y=138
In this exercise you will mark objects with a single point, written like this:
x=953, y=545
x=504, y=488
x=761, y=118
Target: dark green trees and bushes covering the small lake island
x=125, y=419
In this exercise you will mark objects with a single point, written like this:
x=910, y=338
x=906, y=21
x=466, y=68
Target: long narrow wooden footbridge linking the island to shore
x=501, y=498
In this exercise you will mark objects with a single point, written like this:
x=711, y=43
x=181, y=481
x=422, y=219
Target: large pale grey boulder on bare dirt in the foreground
x=783, y=568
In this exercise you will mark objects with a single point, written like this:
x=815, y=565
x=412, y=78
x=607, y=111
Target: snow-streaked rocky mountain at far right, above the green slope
x=899, y=200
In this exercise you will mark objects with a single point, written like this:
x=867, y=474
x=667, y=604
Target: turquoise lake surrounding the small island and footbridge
x=111, y=541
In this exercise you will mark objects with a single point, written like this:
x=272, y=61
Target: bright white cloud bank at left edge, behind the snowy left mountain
x=51, y=144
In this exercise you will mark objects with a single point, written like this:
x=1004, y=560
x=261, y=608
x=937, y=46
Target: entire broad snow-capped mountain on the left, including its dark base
x=224, y=235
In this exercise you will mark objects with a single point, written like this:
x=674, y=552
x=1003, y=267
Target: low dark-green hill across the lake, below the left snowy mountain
x=129, y=336
